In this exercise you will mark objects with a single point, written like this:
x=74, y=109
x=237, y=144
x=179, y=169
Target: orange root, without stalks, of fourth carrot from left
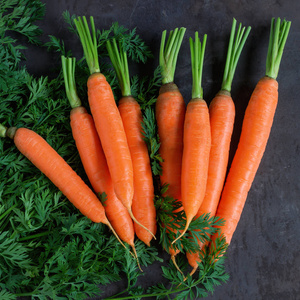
x=143, y=198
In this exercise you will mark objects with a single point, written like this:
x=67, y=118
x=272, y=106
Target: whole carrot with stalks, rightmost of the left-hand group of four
x=143, y=198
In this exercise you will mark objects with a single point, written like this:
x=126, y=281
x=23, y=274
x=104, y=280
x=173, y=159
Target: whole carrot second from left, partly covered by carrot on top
x=93, y=159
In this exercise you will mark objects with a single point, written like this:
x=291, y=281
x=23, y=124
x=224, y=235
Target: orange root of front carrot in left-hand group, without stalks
x=112, y=136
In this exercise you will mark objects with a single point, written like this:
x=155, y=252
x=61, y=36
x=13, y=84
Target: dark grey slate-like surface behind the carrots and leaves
x=263, y=258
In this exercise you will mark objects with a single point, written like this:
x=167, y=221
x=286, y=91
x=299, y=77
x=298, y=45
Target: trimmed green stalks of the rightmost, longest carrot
x=278, y=35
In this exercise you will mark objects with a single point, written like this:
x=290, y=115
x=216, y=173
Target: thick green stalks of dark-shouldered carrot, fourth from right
x=169, y=53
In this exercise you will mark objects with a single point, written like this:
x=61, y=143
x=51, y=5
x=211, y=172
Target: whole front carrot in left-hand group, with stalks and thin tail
x=107, y=119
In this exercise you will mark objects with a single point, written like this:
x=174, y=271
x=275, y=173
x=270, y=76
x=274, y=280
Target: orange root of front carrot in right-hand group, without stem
x=195, y=160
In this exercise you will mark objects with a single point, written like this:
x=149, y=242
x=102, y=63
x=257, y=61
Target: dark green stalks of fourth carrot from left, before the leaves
x=118, y=58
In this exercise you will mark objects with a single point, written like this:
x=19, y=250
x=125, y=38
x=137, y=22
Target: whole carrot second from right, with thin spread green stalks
x=222, y=114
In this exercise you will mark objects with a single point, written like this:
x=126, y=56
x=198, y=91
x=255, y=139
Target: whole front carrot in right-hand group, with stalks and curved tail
x=196, y=140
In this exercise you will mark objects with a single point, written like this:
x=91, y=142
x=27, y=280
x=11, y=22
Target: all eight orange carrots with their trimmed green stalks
x=195, y=139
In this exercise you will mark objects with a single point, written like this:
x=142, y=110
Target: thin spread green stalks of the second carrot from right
x=235, y=48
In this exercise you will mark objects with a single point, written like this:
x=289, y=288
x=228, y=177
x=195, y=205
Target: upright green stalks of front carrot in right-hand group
x=197, y=58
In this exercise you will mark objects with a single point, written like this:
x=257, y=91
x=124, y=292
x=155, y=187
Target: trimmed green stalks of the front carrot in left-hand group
x=89, y=42
